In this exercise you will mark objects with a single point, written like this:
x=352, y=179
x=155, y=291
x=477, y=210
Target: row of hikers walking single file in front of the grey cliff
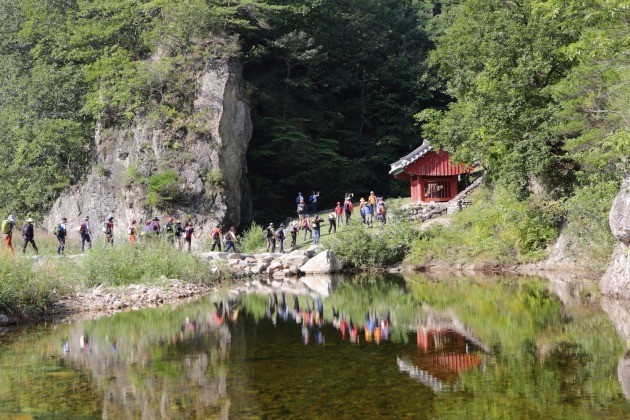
x=174, y=231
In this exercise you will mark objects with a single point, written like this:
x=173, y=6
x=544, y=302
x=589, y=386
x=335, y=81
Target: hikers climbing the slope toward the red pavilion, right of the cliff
x=312, y=225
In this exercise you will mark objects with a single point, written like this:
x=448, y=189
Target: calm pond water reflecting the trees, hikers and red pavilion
x=375, y=347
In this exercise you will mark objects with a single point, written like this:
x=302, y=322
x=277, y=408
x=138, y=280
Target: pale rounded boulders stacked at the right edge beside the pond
x=616, y=281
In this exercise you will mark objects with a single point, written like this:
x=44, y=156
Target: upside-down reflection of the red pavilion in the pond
x=443, y=354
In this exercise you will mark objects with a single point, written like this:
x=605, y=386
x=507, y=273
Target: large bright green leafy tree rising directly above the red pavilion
x=499, y=60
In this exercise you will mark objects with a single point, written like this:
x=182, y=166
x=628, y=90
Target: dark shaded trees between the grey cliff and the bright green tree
x=333, y=89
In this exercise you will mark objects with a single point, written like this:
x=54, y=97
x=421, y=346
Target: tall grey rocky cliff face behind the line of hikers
x=204, y=162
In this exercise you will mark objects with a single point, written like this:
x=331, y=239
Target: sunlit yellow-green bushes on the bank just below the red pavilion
x=497, y=228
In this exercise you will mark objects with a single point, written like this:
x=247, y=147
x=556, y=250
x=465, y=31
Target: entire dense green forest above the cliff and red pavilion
x=536, y=92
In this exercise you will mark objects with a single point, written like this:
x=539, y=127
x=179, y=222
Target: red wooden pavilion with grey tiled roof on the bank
x=431, y=174
